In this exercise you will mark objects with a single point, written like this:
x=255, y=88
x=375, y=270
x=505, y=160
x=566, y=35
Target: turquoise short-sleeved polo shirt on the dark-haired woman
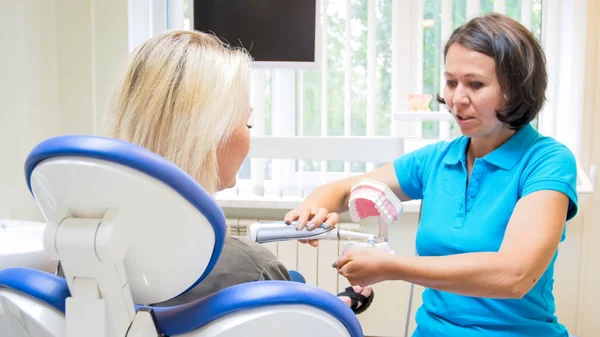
x=461, y=218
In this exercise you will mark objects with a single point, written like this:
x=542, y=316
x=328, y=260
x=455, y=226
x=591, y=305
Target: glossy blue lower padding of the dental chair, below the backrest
x=184, y=318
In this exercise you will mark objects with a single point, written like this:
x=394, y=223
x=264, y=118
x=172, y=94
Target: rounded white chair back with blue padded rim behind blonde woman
x=173, y=226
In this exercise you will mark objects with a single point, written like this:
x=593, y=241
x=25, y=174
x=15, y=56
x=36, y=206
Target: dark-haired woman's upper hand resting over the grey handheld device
x=311, y=218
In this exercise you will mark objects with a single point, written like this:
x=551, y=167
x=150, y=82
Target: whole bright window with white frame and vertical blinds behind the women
x=374, y=54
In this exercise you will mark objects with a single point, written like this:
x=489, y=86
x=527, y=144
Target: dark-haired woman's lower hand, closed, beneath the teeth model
x=365, y=267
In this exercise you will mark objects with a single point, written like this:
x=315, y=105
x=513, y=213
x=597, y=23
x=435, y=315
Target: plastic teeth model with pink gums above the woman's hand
x=371, y=198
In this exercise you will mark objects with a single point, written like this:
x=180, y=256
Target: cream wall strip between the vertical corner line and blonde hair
x=92, y=41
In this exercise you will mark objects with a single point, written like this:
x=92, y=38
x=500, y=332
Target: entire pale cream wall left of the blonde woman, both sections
x=57, y=63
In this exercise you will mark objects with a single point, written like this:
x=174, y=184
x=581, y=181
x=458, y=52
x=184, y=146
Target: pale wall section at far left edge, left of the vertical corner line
x=28, y=90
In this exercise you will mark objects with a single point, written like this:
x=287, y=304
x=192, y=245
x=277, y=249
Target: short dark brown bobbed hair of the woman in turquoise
x=520, y=64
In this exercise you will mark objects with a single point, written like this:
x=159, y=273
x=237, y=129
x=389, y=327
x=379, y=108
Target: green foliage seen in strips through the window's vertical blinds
x=357, y=43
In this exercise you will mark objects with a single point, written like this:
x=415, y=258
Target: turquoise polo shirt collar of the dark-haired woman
x=504, y=157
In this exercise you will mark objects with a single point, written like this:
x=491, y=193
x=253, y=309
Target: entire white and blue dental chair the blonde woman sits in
x=132, y=229
